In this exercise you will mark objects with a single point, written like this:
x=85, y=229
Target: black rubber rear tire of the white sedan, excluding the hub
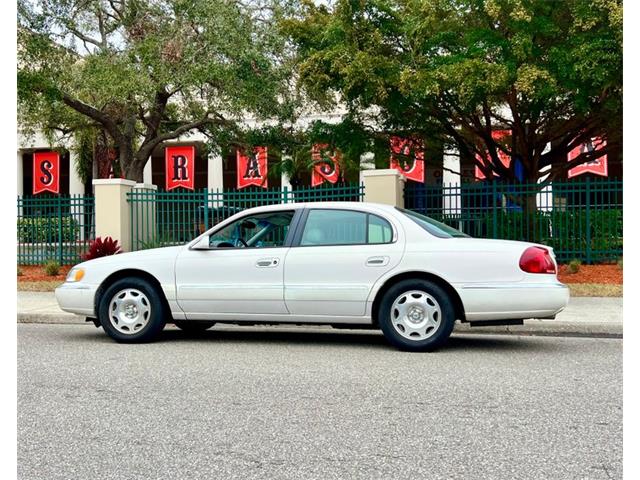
x=438, y=335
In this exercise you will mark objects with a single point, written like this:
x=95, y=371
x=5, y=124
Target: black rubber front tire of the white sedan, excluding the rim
x=155, y=320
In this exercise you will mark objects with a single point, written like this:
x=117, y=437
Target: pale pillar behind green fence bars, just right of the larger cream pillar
x=143, y=221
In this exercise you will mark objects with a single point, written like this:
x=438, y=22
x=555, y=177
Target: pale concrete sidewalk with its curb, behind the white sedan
x=588, y=316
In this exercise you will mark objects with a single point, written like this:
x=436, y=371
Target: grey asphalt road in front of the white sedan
x=301, y=404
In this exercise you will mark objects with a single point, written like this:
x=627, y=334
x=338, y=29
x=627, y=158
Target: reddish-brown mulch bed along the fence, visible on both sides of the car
x=609, y=274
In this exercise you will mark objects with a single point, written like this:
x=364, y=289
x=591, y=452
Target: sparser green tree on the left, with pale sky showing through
x=147, y=72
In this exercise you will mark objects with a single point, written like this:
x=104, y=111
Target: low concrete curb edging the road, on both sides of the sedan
x=532, y=327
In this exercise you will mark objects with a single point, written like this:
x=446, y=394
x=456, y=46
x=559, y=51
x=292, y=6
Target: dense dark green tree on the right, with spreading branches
x=456, y=70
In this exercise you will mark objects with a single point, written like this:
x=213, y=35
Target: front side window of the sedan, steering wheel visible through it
x=255, y=231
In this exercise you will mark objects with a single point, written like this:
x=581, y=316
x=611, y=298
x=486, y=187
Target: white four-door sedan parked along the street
x=335, y=263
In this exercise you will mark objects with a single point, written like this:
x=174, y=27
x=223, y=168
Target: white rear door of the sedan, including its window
x=335, y=260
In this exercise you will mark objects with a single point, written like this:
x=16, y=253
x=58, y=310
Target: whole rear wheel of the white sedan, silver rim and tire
x=416, y=315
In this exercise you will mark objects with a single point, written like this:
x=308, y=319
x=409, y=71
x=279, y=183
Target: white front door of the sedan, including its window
x=241, y=272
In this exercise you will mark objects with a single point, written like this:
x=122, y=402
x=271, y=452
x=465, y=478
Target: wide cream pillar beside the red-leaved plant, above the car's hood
x=113, y=215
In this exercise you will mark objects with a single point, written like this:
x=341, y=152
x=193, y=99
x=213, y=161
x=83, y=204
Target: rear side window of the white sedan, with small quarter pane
x=344, y=227
